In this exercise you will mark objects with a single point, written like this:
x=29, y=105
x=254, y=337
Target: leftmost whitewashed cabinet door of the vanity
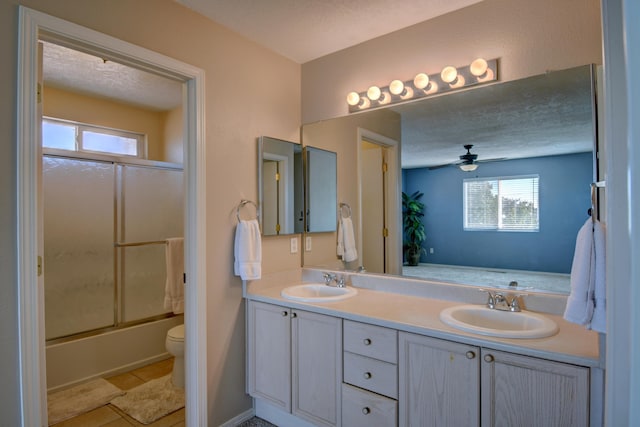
x=269, y=353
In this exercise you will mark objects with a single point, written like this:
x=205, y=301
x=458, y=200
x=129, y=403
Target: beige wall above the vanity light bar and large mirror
x=529, y=38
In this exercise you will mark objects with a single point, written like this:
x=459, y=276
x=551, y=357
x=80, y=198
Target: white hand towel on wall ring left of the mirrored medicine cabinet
x=248, y=250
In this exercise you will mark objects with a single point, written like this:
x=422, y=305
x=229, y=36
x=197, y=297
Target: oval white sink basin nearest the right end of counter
x=505, y=324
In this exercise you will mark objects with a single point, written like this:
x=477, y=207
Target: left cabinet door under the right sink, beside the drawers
x=439, y=382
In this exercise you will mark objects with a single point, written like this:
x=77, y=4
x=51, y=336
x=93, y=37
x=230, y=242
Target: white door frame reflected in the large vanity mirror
x=393, y=201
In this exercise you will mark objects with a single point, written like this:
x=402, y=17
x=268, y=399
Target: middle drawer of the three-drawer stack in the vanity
x=371, y=374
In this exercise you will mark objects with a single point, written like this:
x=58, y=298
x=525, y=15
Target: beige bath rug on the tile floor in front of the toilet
x=151, y=400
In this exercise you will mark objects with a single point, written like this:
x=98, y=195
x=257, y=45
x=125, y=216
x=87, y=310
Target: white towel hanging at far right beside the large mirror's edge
x=588, y=279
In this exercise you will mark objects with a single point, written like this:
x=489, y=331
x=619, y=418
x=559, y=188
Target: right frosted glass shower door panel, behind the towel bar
x=152, y=210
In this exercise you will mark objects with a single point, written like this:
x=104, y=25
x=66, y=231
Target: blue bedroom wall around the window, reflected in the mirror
x=564, y=197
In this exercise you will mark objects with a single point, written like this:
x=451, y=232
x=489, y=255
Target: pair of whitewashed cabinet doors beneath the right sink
x=451, y=384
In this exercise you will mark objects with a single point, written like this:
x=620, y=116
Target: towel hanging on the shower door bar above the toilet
x=174, y=286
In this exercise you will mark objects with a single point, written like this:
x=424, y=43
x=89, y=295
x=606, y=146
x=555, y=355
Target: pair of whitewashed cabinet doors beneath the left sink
x=295, y=361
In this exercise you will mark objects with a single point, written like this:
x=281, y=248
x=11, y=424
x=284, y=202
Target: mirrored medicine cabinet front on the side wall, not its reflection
x=280, y=186
